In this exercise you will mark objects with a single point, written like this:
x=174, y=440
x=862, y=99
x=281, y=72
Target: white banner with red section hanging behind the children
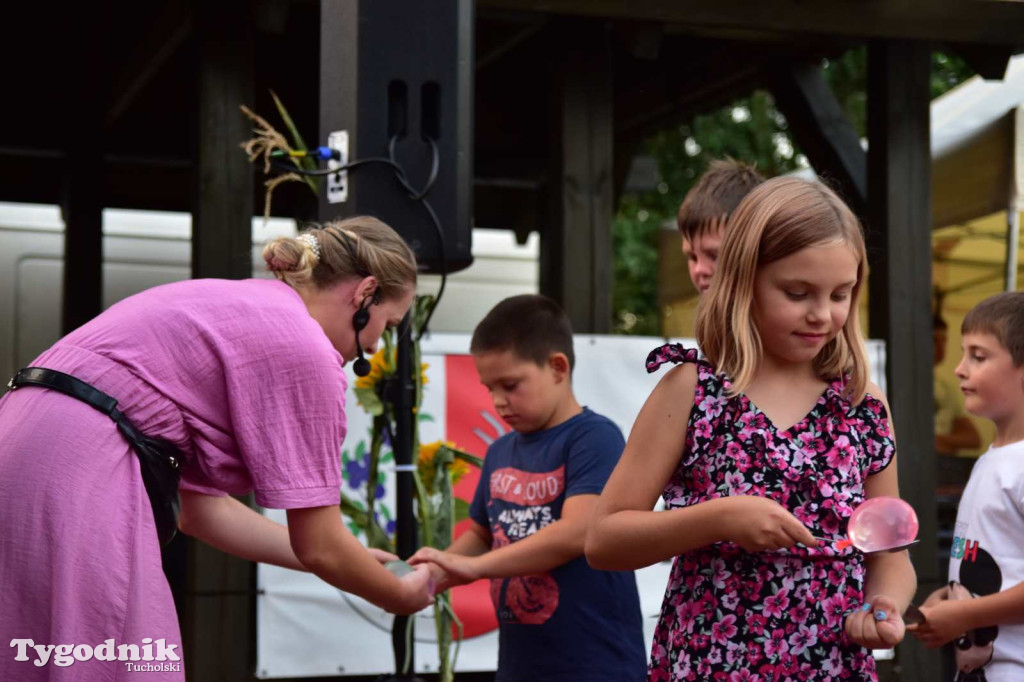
x=307, y=628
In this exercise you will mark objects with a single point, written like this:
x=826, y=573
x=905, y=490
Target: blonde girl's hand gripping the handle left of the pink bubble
x=759, y=524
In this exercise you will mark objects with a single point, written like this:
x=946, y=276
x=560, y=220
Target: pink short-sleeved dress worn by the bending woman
x=238, y=375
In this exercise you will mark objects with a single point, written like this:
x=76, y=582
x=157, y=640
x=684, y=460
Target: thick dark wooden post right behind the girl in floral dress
x=901, y=287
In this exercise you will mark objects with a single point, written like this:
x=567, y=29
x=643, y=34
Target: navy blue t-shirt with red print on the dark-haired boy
x=575, y=623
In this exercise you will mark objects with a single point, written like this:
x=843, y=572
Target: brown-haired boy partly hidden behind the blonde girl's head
x=706, y=210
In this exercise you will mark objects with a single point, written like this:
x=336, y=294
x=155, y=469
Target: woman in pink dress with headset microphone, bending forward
x=246, y=378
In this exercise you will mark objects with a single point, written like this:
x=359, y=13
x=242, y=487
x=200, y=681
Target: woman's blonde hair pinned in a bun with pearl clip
x=356, y=247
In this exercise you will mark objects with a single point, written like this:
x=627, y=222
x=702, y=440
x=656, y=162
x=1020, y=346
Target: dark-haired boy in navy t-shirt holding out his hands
x=559, y=619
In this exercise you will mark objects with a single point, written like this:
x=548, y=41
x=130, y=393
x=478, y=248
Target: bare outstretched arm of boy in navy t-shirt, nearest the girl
x=550, y=547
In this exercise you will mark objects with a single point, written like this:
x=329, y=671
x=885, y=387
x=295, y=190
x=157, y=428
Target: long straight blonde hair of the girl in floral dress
x=775, y=221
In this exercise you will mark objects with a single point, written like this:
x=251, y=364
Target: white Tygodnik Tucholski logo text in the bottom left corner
x=66, y=655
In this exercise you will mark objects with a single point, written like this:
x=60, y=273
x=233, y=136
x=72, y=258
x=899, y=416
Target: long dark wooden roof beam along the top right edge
x=956, y=21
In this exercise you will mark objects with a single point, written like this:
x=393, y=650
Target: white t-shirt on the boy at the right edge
x=989, y=547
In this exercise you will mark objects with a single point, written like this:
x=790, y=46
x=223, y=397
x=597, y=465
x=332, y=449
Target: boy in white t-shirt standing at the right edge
x=983, y=610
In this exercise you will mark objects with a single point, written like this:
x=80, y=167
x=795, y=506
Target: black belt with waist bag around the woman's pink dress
x=161, y=460
